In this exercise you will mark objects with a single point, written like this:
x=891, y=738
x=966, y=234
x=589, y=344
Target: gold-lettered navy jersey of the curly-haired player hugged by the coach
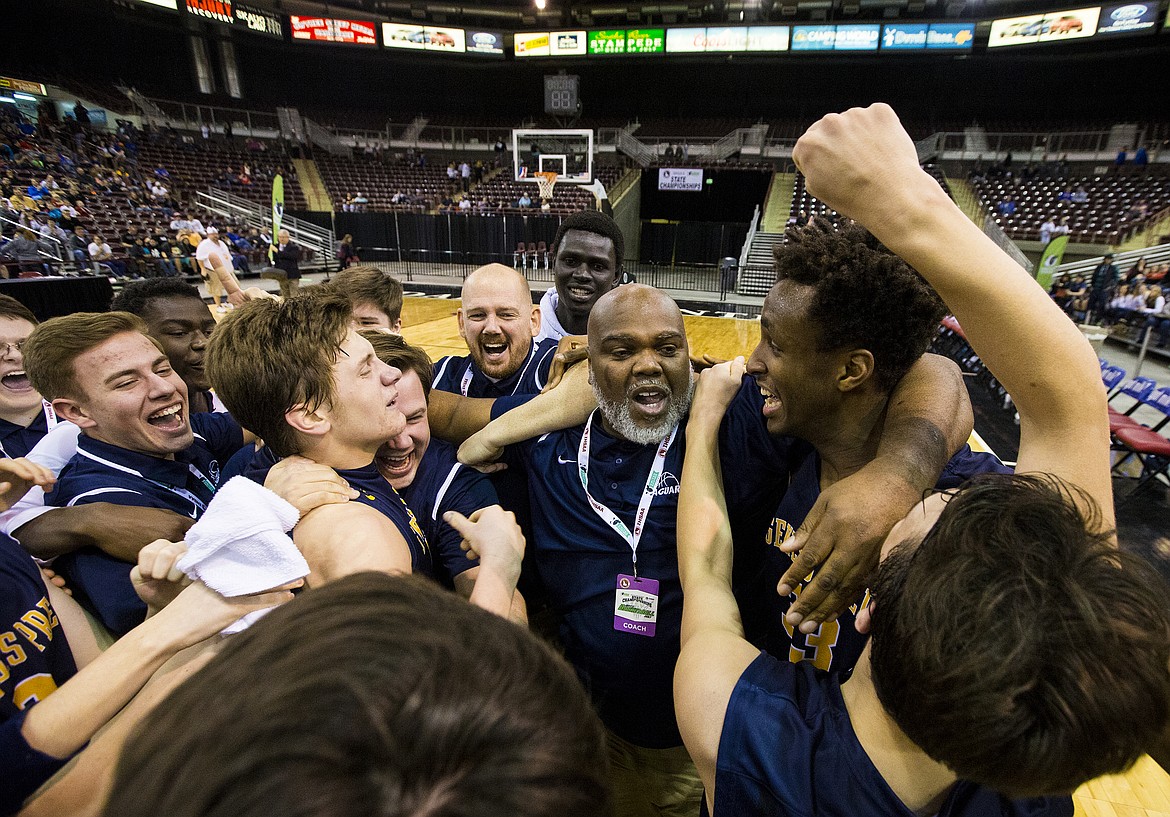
x=836, y=646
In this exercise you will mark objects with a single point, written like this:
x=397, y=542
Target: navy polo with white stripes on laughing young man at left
x=101, y=472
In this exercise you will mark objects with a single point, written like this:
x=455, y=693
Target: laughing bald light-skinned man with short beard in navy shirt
x=499, y=321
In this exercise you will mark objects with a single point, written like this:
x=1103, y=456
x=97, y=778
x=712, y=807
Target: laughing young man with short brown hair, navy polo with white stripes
x=140, y=445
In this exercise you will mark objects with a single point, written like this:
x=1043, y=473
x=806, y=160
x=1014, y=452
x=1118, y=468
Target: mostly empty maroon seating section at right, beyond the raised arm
x=1109, y=217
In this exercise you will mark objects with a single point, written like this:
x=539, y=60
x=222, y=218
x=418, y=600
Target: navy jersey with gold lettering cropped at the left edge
x=36, y=660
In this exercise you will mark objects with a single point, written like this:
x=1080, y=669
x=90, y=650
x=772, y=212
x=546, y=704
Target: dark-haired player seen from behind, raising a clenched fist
x=1028, y=561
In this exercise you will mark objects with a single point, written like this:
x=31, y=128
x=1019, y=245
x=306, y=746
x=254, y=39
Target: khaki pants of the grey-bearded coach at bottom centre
x=652, y=782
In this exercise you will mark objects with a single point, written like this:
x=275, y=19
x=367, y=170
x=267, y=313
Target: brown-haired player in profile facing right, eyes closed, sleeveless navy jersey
x=326, y=395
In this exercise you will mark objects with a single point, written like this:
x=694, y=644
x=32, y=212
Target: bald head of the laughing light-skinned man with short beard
x=498, y=320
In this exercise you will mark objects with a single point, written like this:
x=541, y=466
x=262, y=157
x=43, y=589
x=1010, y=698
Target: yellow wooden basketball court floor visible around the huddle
x=431, y=324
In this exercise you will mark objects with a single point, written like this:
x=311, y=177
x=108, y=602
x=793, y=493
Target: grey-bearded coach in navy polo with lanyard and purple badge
x=604, y=499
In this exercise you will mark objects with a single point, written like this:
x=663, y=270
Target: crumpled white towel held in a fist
x=240, y=545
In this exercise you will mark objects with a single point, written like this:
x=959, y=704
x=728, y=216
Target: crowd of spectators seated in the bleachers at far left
x=106, y=203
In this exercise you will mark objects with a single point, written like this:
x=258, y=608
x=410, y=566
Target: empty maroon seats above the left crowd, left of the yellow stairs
x=215, y=163
